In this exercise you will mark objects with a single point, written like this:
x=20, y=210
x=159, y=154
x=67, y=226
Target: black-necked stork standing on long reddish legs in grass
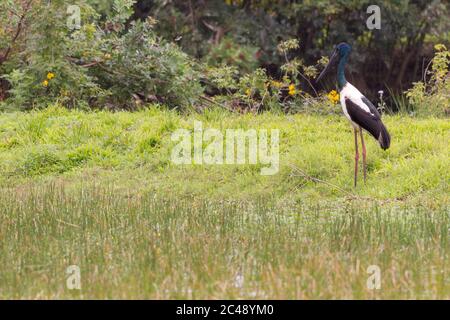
x=357, y=108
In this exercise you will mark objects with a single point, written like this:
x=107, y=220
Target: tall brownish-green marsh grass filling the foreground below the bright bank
x=148, y=246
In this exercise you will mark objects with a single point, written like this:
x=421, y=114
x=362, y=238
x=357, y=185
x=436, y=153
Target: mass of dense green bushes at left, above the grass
x=102, y=63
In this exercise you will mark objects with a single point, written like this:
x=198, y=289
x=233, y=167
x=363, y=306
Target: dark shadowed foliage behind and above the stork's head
x=393, y=57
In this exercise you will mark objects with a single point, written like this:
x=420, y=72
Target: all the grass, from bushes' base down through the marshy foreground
x=98, y=190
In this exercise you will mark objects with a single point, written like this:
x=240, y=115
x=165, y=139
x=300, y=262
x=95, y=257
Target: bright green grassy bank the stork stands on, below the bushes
x=133, y=150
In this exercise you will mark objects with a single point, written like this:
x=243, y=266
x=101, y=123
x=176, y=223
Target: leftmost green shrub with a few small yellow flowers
x=39, y=67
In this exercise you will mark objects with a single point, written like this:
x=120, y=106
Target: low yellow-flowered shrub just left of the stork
x=258, y=91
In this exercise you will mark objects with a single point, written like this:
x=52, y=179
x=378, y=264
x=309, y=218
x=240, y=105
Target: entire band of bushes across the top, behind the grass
x=241, y=55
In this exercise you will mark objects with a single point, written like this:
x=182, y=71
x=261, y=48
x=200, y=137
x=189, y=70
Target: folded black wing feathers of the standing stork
x=371, y=122
